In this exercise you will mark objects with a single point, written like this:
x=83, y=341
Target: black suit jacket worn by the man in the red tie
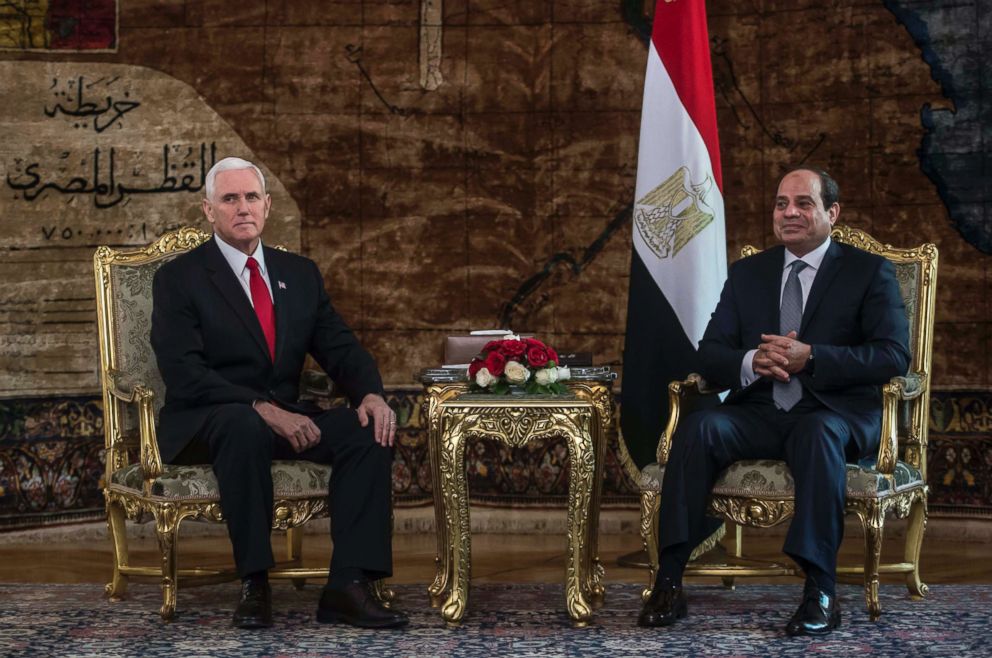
x=210, y=347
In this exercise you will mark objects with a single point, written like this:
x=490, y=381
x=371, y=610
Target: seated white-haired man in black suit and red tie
x=232, y=323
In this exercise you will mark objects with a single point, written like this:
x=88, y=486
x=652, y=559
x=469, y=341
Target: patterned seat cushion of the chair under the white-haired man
x=290, y=479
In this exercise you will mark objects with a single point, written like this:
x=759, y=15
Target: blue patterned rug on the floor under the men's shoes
x=503, y=620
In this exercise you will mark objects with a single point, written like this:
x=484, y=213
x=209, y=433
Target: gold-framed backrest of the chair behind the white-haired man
x=124, y=315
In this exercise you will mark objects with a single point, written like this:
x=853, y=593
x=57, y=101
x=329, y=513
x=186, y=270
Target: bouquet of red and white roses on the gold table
x=515, y=361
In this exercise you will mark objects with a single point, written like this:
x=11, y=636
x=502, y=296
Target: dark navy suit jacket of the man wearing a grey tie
x=854, y=319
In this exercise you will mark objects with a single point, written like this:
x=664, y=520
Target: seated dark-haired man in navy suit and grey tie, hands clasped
x=804, y=334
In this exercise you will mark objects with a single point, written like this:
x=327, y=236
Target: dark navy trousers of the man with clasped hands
x=815, y=443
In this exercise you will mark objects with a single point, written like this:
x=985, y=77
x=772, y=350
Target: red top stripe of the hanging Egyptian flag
x=682, y=41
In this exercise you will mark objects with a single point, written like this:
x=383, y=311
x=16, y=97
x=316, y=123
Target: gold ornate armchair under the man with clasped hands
x=759, y=493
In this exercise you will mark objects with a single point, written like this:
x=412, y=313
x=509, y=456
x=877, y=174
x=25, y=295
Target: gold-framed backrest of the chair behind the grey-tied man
x=916, y=271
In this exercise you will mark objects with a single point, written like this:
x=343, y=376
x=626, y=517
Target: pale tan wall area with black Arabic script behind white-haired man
x=93, y=154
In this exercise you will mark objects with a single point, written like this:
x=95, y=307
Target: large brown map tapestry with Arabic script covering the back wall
x=461, y=164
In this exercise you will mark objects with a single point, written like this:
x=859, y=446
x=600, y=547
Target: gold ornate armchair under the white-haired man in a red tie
x=137, y=485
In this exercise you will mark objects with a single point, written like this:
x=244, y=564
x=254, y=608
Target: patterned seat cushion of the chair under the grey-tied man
x=768, y=478
